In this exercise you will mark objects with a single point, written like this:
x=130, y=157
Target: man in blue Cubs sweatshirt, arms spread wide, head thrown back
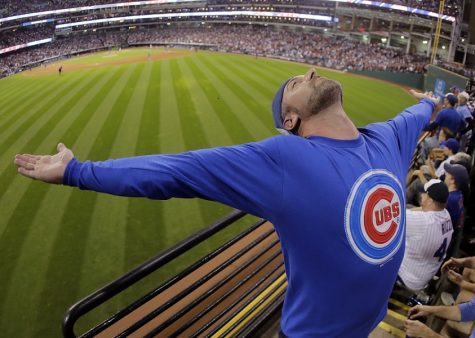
x=335, y=194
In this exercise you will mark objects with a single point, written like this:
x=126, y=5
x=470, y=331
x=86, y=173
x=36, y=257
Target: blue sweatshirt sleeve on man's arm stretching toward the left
x=247, y=177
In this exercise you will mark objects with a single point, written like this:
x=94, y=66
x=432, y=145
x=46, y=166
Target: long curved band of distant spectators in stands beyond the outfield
x=306, y=46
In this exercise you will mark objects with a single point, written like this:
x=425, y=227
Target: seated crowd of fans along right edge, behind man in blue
x=441, y=227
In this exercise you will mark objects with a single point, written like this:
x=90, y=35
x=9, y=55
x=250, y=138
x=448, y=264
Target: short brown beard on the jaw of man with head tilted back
x=326, y=93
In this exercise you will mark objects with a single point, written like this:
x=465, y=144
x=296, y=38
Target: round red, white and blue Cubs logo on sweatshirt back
x=375, y=217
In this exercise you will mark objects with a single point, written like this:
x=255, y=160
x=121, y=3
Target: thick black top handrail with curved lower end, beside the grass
x=110, y=290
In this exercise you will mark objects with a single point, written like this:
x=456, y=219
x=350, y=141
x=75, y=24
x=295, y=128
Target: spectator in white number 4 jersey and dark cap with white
x=428, y=234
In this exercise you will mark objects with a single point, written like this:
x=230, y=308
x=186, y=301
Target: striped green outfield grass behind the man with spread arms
x=58, y=244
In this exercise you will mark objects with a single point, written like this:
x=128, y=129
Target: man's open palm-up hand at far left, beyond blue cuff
x=46, y=168
